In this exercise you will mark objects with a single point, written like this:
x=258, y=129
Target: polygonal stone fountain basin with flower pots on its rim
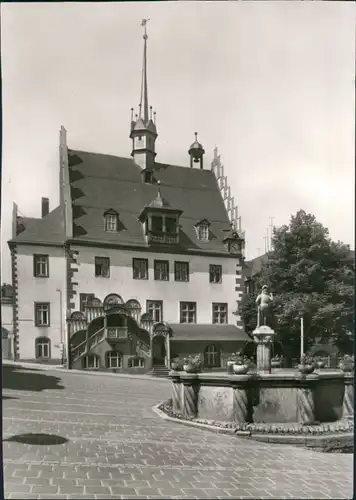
x=281, y=397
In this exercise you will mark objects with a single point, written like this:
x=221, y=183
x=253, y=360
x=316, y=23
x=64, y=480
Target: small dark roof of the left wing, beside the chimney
x=47, y=230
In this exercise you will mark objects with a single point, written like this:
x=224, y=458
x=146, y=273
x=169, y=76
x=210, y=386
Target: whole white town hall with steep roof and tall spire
x=140, y=262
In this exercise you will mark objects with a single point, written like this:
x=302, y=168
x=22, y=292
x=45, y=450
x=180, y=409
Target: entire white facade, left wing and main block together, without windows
x=53, y=289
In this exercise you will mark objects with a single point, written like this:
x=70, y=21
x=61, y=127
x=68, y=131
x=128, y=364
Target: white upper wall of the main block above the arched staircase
x=198, y=289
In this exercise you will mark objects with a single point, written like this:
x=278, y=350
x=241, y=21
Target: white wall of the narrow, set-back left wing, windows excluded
x=31, y=289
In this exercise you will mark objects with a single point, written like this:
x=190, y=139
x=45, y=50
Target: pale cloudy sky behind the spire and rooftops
x=270, y=83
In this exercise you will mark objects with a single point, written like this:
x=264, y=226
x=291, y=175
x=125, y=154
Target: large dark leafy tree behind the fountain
x=311, y=276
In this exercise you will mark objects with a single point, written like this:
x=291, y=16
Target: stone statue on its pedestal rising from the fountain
x=263, y=334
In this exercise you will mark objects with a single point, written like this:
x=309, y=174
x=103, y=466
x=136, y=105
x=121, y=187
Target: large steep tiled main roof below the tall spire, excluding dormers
x=99, y=182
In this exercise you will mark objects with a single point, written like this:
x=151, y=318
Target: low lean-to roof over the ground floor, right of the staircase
x=215, y=333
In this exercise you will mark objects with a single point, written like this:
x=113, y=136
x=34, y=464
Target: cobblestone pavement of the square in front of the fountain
x=117, y=447
